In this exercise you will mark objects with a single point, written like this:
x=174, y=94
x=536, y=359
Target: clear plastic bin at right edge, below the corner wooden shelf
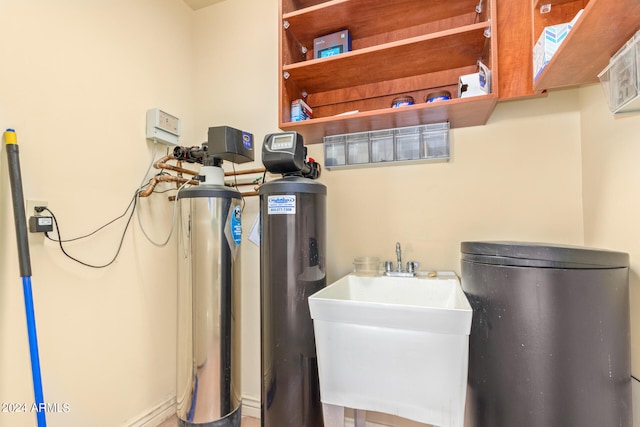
x=621, y=79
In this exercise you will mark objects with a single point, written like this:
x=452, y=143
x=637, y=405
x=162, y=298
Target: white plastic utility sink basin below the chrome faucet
x=397, y=345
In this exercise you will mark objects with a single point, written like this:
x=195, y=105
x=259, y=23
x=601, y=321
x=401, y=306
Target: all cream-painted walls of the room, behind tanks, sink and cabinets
x=82, y=77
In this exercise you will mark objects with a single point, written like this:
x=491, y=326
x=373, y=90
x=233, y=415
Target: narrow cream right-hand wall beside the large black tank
x=610, y=153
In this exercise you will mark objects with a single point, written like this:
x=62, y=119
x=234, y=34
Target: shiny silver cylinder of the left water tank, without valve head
x=208, y=360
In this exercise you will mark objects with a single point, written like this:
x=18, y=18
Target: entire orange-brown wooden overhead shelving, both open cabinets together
x=409, y=47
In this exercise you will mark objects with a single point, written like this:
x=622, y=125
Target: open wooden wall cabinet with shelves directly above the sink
x=399, y=47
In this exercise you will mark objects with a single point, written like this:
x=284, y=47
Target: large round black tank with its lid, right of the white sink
x=550, y=337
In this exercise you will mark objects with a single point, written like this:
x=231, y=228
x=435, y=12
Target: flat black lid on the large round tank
x=543, y=255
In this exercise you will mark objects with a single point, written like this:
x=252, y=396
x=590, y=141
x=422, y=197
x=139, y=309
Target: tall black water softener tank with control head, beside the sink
x=292, y=267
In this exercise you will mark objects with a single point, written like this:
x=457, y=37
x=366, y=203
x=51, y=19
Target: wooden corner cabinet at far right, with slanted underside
x=603, y=27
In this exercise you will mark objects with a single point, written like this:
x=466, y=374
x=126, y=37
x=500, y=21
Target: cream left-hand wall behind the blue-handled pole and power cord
x=76, y=80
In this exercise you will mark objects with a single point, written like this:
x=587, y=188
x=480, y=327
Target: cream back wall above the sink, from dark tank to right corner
x=516, y=178
